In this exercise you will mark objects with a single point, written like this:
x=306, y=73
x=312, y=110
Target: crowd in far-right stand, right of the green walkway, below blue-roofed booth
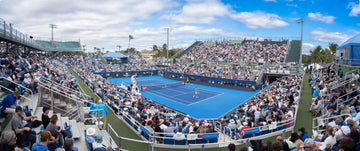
x=336, y=99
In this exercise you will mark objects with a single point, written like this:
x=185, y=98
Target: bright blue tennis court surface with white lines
x=212, y=102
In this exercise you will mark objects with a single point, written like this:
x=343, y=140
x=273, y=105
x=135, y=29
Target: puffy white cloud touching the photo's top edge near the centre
x=204, y=12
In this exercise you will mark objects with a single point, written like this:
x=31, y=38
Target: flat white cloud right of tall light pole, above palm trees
x=324, y=36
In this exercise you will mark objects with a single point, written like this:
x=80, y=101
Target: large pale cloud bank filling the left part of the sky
x=104, y=24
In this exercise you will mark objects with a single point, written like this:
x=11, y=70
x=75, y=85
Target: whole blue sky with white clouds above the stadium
x=107, y=23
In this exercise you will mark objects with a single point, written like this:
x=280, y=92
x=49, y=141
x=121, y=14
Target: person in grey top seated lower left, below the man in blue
x=23, y=132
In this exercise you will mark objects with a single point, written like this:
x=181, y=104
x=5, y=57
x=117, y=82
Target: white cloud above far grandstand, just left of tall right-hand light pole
x=258, y=19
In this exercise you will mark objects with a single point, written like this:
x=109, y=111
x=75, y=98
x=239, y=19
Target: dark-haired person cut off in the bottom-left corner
x=8, y=141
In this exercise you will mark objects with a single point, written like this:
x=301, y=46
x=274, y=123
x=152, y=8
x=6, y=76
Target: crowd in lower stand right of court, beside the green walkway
x=270, y=108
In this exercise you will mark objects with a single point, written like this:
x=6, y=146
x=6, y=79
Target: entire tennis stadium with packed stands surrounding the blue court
x=75, y=102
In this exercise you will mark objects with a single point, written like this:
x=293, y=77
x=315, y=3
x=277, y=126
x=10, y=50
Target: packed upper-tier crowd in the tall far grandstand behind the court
x=249, y=52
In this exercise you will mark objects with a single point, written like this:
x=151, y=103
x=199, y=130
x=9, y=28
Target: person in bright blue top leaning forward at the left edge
x=9, y=103
